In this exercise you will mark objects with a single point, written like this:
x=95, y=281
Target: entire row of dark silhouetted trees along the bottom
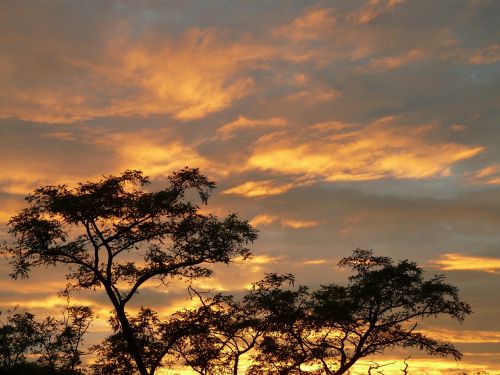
x=280, y=328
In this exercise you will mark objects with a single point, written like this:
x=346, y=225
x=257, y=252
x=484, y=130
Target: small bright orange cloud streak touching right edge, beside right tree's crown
x=460, y=262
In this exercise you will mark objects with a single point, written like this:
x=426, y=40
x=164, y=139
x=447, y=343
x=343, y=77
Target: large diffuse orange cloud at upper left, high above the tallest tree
x=189, y=77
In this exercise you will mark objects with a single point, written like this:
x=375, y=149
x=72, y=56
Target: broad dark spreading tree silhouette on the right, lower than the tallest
x=335, y=326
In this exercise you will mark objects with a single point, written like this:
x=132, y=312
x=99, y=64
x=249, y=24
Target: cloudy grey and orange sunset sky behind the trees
x=329, y=125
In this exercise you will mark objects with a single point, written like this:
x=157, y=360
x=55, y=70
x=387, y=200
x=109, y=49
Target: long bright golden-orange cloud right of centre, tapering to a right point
x=379, y=150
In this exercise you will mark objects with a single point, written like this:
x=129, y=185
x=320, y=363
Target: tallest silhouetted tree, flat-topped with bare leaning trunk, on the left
x=96, y=226
